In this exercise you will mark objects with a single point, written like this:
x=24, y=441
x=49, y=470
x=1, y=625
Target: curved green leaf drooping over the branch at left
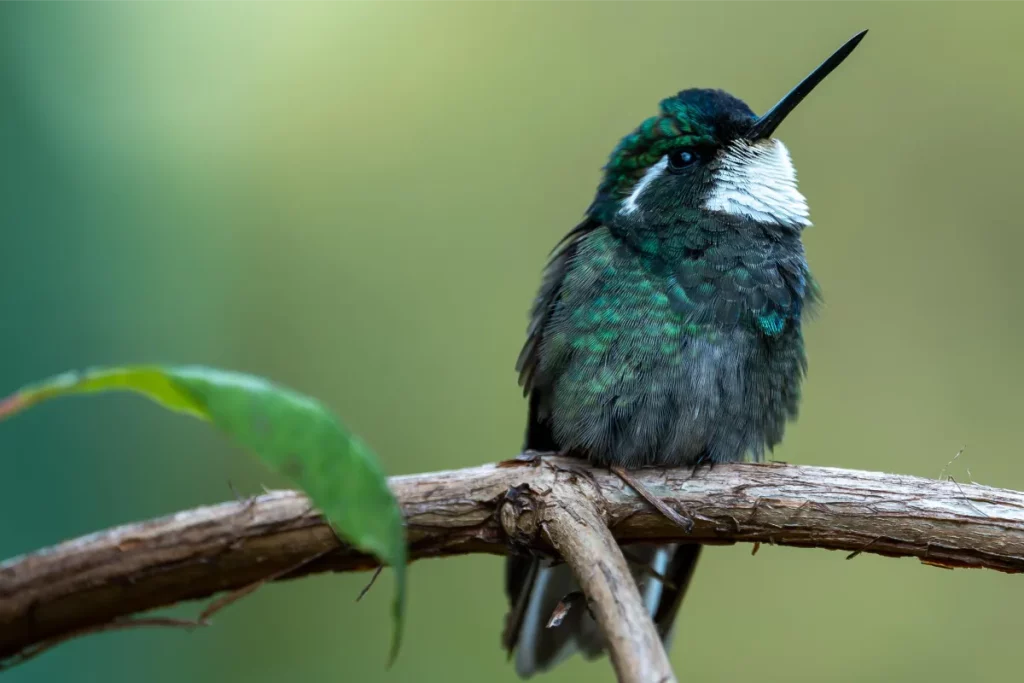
x=293, y=434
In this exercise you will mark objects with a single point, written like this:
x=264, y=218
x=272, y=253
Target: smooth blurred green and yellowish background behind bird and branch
x=357, y=198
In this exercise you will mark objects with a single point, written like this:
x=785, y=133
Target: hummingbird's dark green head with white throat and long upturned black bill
x=707, y=154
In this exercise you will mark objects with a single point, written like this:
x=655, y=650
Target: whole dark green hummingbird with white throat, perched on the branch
x=667, y=332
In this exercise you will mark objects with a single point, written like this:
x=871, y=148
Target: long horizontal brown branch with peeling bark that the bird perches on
x=105, y=577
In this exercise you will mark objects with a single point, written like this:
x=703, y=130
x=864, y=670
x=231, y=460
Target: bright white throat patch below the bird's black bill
x=757, y=181
